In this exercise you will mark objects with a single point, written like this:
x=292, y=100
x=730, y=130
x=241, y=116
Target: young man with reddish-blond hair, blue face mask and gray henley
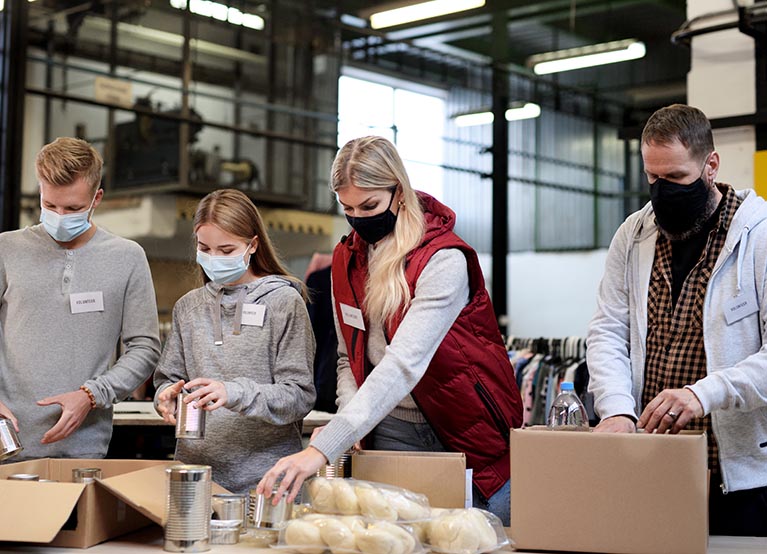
x=69, y=291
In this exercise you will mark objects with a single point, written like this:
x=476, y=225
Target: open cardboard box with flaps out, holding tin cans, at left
x=130, y=495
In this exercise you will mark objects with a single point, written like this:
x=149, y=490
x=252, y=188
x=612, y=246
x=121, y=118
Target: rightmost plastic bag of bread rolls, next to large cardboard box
x=468, y=531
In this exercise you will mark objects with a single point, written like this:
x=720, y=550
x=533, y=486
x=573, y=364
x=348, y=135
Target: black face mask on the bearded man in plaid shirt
x=678, y=208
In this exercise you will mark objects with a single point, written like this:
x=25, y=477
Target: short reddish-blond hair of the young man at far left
x=67, y=159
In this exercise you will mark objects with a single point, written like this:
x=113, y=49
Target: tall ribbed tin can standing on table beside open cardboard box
x=187, y=524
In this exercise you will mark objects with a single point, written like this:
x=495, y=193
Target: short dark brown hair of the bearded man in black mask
x=688, y=125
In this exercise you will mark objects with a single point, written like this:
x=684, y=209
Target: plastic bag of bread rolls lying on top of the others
x=372, y=500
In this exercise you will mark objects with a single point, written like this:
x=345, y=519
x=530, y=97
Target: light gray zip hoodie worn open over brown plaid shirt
x=734, y=391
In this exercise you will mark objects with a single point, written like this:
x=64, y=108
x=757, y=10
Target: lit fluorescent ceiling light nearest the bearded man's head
x=587, y=56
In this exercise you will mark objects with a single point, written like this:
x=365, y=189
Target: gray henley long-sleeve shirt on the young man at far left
x=46, y=349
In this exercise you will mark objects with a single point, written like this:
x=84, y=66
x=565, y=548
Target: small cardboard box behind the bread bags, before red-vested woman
x=441, y=476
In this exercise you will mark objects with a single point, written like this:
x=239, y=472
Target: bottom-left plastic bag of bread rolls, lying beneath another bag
x=317, y=533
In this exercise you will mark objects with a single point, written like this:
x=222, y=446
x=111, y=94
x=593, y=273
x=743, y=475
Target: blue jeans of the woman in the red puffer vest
x=396, y=434
